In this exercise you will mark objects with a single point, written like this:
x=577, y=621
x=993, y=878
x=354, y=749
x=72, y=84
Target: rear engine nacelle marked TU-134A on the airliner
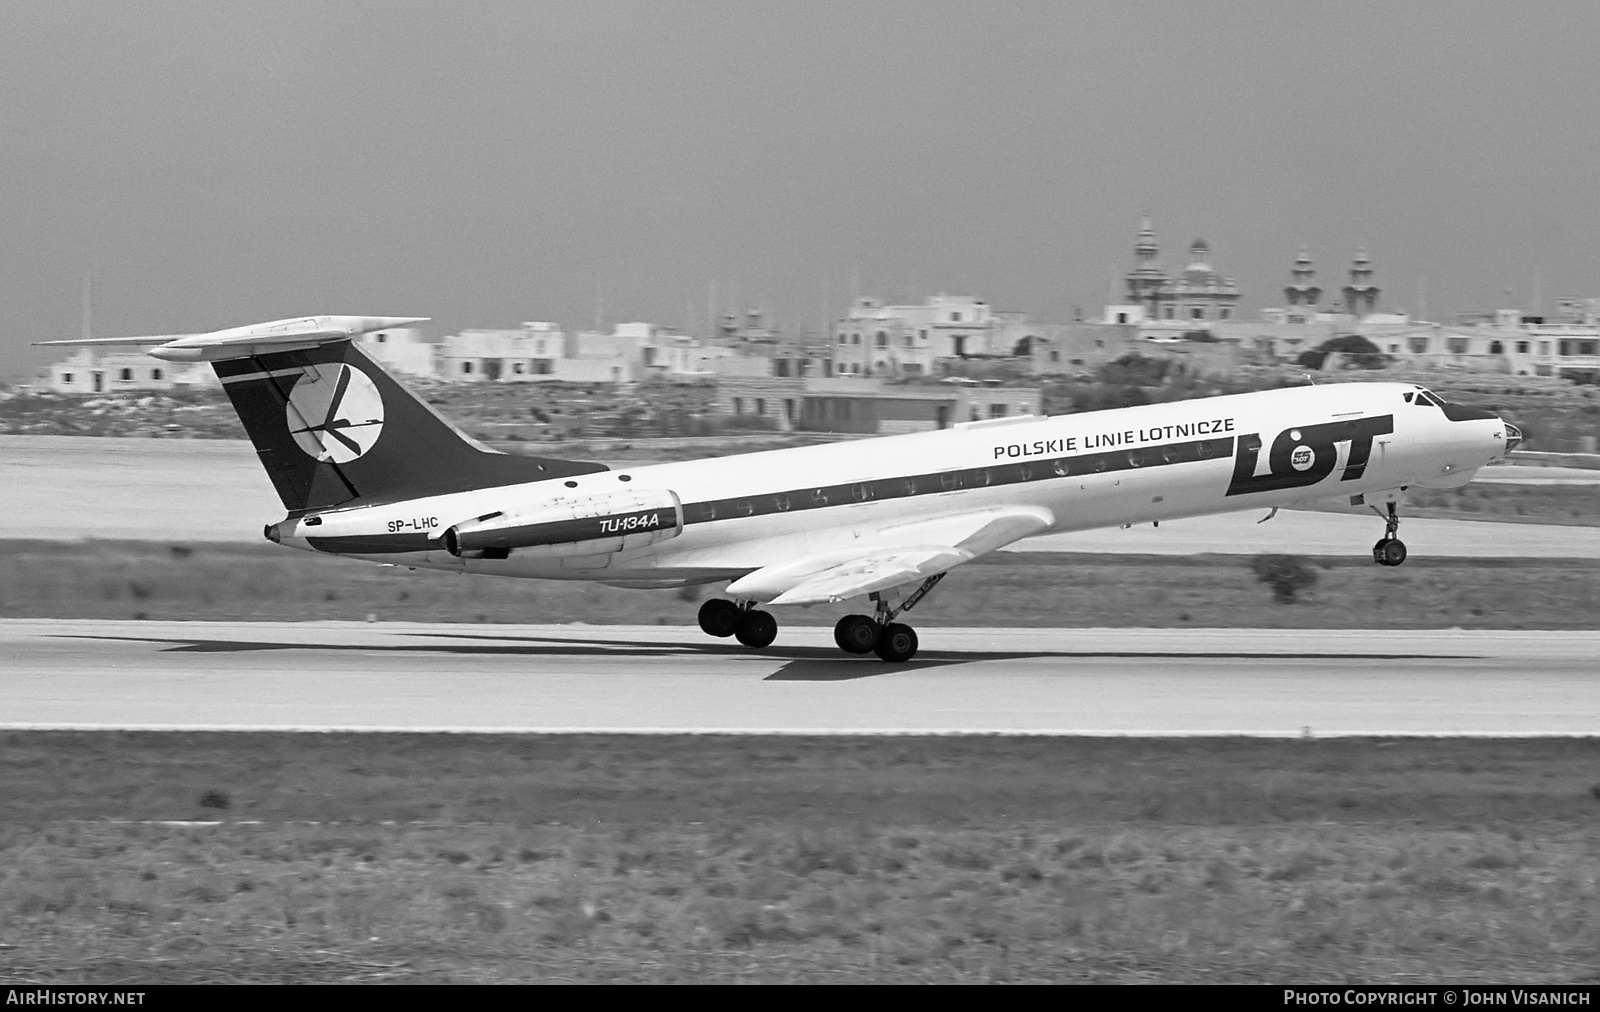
x=578, y=526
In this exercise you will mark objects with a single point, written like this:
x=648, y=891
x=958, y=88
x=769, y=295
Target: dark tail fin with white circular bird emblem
x=332, y=427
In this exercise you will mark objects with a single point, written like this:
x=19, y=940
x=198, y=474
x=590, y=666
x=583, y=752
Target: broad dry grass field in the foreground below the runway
x=716, y=859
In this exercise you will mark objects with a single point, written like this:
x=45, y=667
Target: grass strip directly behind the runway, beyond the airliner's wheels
x=250, y=582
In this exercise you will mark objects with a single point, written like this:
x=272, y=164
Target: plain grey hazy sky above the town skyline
x=484, y=164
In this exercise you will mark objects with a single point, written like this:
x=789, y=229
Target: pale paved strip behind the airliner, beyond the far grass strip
x=76, y=488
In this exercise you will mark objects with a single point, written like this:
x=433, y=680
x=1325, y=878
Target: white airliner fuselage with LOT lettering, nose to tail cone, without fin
x=1079, y=472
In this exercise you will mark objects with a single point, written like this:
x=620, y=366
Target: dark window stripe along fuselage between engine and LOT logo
x=1044, y=470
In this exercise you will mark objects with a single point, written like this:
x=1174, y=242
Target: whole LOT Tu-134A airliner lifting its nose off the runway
x=370, y=472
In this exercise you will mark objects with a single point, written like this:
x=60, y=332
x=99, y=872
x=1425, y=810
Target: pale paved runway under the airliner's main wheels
x=650, y=680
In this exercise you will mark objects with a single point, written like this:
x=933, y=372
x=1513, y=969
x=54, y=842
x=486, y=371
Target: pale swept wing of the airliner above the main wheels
x=900, y=555
